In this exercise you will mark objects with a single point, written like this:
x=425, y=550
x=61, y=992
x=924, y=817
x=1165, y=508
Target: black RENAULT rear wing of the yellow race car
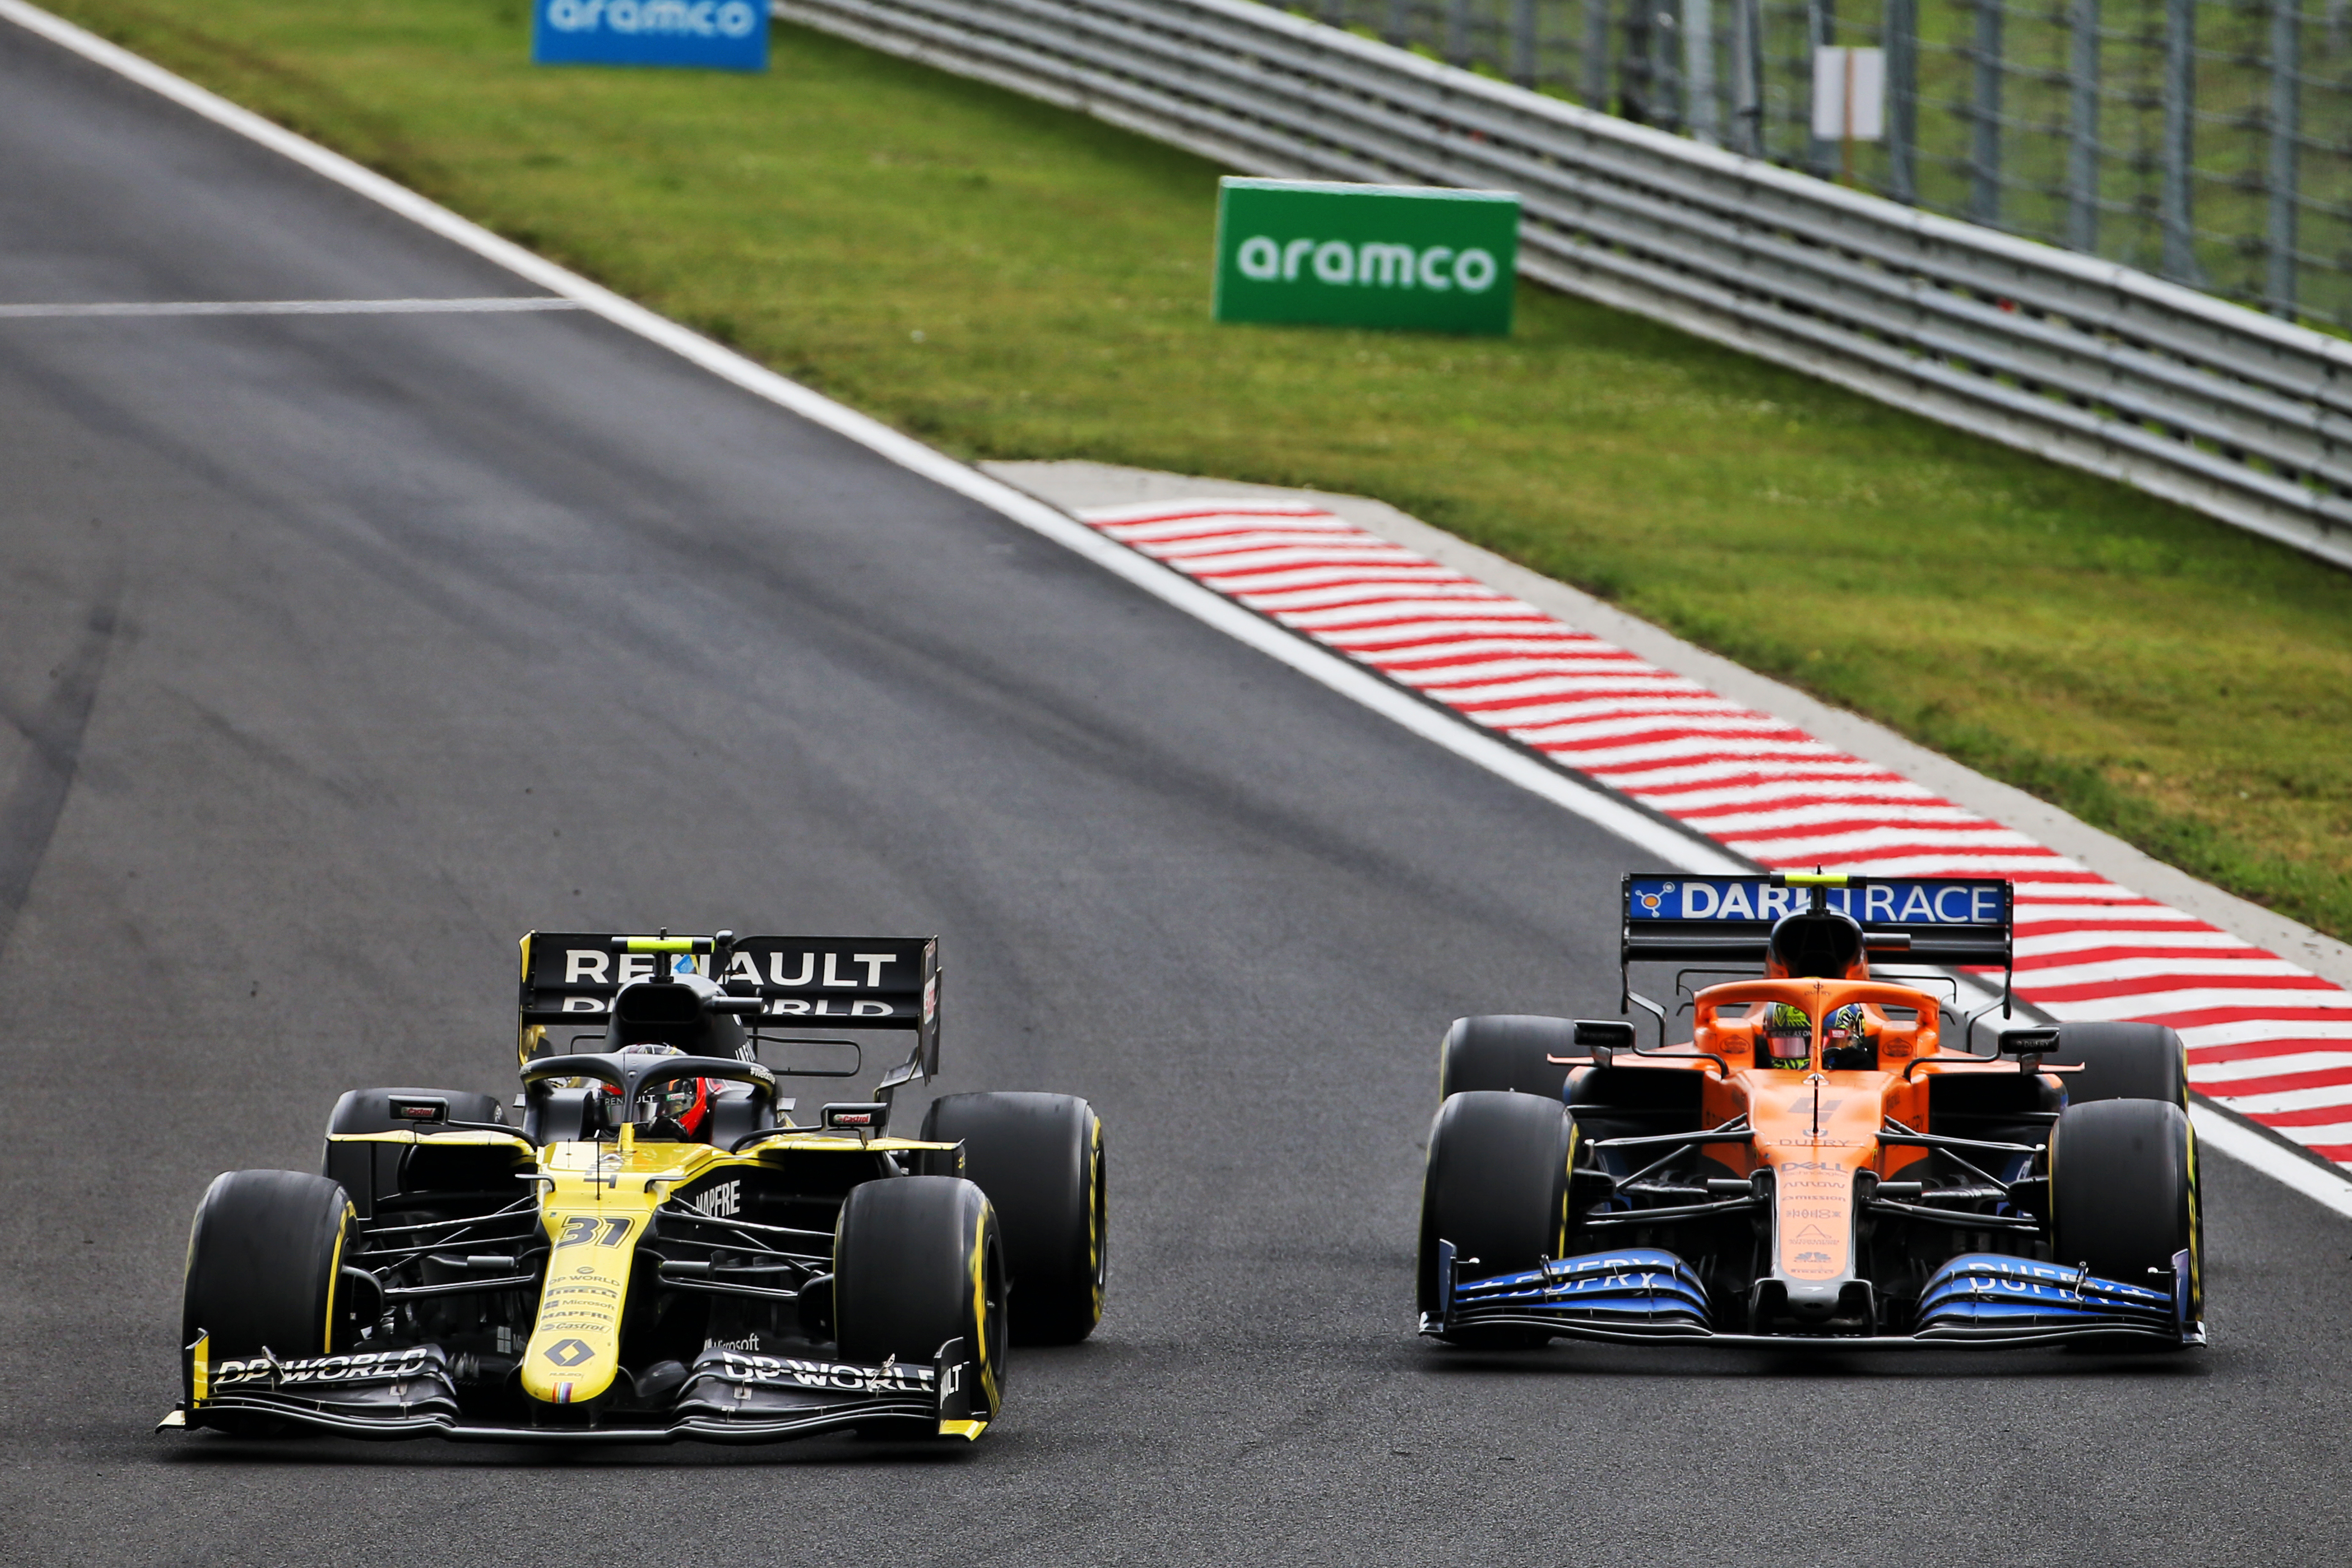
x=808, y=981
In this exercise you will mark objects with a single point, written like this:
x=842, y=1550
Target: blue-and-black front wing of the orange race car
x=1650, y=1296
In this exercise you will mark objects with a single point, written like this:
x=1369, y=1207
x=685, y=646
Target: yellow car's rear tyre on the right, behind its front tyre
x=1041, y=1162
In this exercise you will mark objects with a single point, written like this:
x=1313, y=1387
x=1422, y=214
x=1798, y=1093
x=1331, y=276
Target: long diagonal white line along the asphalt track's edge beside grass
x=1323, y=666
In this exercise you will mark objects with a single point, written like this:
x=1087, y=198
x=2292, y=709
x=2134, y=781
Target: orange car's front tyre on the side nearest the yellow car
x=1497, y=1186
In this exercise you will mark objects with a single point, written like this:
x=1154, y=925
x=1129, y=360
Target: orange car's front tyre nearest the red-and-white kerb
x=2125, y=1193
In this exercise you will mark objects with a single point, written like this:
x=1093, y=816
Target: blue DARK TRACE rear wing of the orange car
x=1702, y=920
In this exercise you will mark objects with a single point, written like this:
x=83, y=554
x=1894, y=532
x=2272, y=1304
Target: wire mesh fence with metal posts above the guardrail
x=2200, y=140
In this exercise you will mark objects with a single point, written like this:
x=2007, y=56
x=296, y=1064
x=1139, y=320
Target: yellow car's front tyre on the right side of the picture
x=916, y=1264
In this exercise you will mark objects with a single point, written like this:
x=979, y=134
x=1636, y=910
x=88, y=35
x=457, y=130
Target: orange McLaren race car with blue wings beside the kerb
x=1824, y=1160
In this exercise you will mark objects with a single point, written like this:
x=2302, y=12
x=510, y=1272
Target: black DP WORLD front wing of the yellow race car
x=728, y=1398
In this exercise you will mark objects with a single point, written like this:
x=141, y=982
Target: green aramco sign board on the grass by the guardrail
x=1415, y=257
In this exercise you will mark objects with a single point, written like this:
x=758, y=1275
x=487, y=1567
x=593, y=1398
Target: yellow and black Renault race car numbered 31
x=657, y=1249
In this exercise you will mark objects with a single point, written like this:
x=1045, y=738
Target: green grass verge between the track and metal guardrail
x=1010, y=281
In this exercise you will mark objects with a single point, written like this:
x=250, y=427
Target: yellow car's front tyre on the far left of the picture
x=265, y=1261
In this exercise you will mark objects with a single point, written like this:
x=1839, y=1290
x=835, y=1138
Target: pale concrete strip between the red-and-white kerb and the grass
x=1074, y=485
